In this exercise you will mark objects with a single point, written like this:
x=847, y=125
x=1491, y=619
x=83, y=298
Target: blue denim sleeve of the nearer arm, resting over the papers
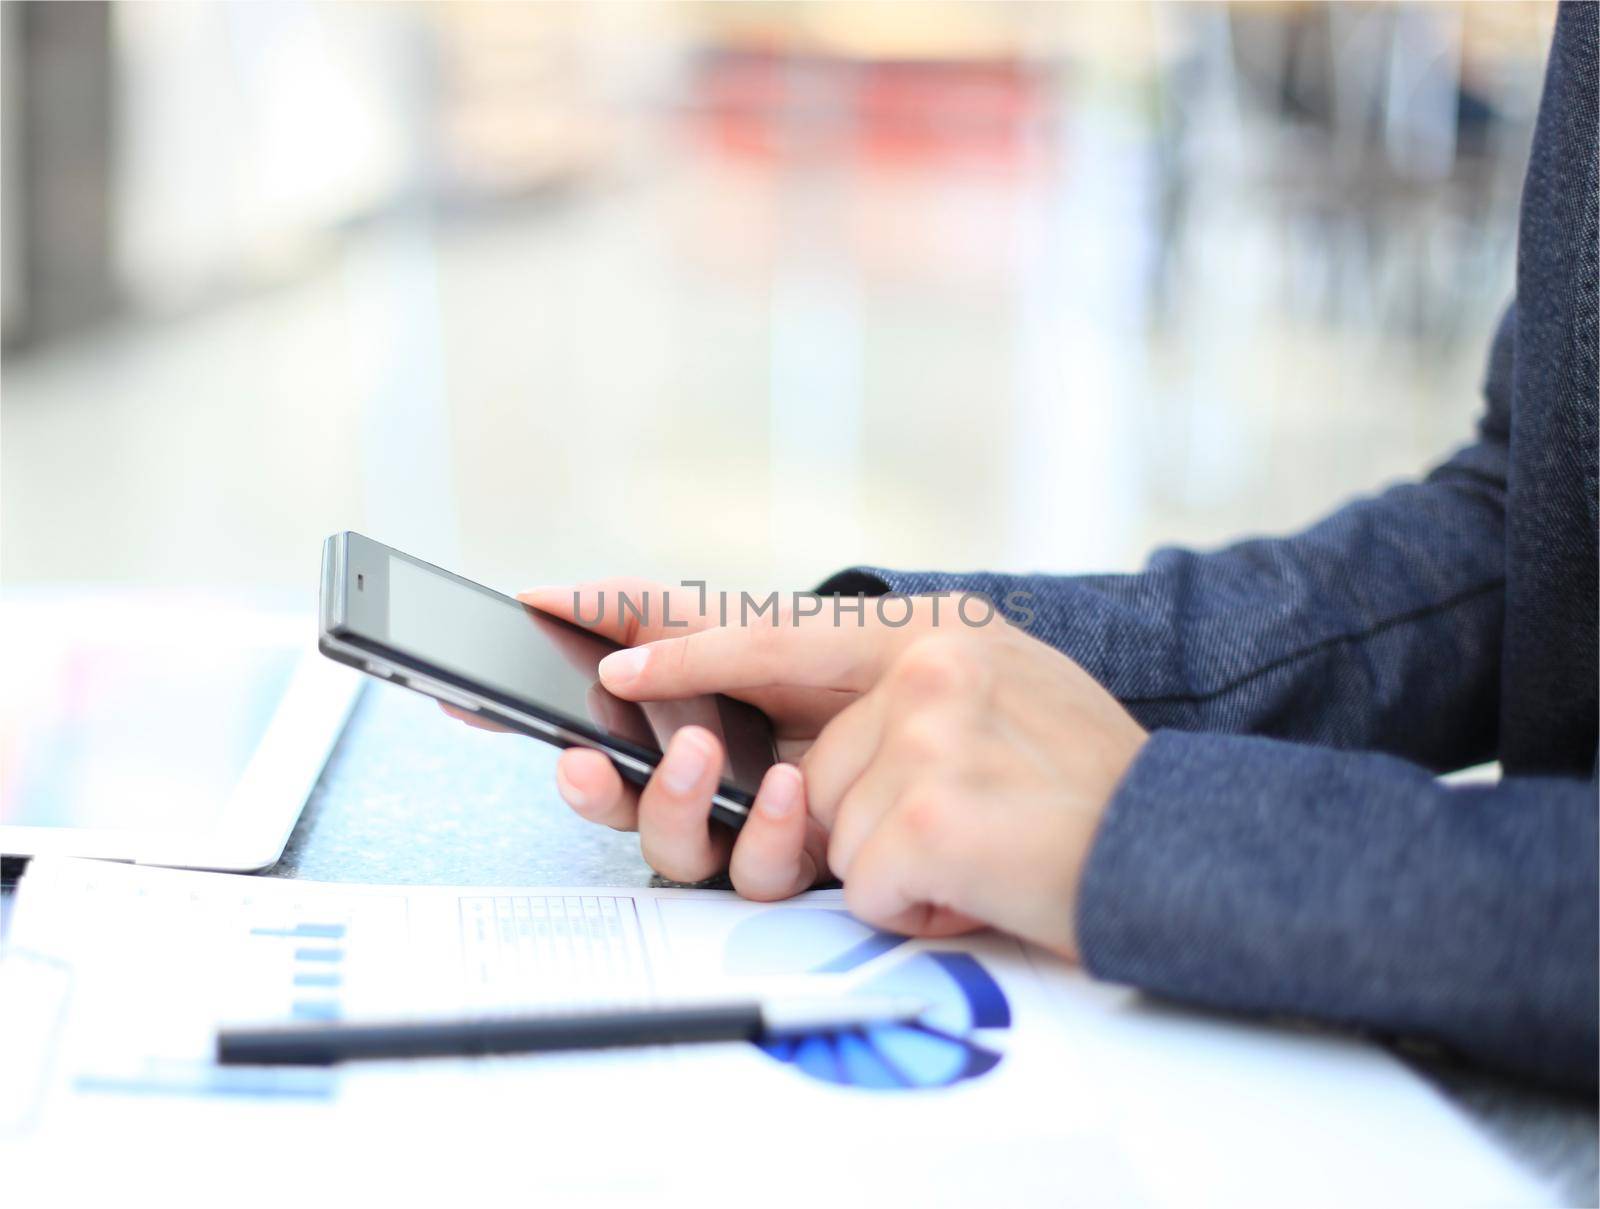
x=1252, y=874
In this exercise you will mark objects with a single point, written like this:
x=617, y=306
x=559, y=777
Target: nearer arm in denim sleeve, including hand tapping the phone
x=978, y=776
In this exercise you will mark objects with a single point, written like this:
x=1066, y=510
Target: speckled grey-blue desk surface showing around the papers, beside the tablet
x=412, y=797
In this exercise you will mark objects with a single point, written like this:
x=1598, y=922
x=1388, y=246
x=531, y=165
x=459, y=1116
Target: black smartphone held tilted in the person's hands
x=410, y=623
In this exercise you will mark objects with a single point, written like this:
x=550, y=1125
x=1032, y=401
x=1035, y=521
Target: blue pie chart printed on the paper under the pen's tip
x=935, y=1053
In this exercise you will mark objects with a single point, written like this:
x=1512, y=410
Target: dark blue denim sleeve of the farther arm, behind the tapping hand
x=1375, y=629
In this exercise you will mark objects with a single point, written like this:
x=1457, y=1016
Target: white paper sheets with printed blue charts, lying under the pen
x=1025, y=1082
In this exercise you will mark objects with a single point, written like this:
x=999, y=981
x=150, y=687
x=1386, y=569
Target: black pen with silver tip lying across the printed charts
x=322, y=1045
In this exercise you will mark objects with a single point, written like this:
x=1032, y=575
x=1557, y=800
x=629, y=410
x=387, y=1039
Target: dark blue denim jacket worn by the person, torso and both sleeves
x=1281, y=845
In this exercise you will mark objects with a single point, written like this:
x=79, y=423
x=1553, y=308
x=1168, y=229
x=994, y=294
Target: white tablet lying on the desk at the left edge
x=167, y=728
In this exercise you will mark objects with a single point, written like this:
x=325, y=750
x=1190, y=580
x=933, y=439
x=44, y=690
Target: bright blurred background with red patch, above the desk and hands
x=740, y=293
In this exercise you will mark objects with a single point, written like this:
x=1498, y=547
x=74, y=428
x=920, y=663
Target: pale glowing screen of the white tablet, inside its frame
x=135, y=716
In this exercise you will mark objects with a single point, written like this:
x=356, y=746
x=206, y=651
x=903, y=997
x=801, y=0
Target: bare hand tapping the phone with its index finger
x=961, y=772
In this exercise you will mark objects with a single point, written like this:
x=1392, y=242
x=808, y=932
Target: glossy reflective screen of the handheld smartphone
x=492, y=640
